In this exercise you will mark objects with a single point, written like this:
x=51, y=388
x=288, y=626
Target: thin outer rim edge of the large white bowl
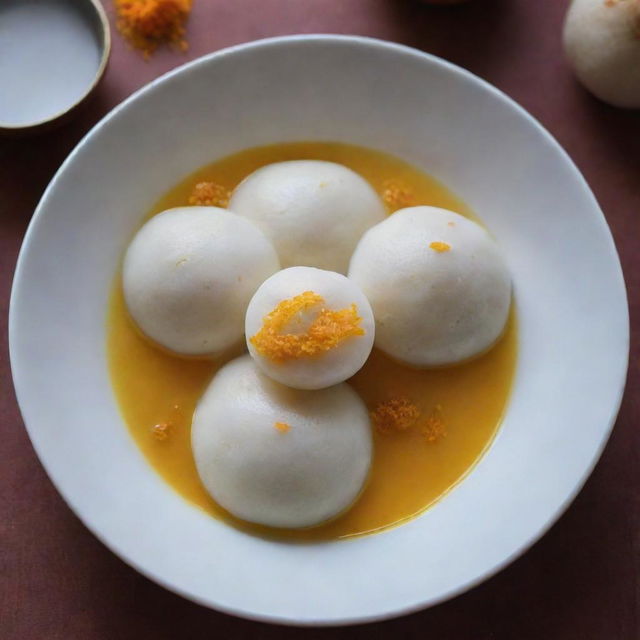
x=532, y=538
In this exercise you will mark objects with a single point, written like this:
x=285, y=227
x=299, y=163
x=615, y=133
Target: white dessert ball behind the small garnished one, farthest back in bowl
x=314, y=212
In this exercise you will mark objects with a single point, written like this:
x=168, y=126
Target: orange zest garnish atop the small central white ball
x=325, y=332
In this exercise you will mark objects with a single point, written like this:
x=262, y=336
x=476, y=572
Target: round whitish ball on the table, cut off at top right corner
x=602, y=42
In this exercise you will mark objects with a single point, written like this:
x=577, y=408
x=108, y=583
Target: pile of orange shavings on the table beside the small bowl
x=147, y=24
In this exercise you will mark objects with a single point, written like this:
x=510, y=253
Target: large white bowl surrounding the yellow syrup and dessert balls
x=568, y=285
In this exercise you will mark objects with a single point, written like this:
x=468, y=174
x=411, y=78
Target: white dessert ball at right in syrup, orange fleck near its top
x=438, y=286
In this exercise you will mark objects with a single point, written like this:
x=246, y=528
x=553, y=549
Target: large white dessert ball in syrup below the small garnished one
x=278, y=456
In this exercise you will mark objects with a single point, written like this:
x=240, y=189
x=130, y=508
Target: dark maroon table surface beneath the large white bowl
x=581, y=581
